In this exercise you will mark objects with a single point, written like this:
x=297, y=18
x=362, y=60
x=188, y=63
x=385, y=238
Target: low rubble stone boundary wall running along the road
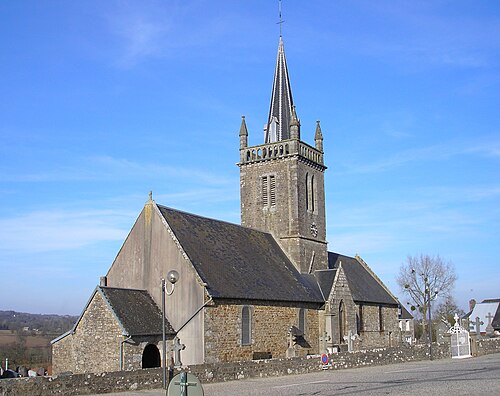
x=120, y=381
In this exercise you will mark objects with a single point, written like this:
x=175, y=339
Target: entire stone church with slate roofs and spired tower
x=268, y=288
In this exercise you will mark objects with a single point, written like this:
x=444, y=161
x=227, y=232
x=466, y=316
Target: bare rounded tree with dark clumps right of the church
x=423, y=279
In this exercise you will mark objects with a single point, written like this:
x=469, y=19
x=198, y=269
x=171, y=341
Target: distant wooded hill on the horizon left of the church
x=39, y=323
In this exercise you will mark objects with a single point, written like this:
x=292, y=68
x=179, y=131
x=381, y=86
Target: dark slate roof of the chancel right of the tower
x=365, y=287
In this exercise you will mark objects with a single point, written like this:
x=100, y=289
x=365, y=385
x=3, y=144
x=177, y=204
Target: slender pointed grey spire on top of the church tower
x=278, y=122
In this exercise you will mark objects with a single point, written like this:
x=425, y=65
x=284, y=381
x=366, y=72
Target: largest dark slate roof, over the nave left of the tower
x=238, y=262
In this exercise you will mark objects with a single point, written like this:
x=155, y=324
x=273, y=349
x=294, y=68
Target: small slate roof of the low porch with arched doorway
x=136, y=311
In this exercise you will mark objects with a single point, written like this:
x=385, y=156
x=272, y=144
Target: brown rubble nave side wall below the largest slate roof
x=269, y=329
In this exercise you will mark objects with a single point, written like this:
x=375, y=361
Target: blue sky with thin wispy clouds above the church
x=101, y=102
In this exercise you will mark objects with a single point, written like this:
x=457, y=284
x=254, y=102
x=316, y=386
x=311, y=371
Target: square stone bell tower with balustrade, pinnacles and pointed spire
x=282, y=181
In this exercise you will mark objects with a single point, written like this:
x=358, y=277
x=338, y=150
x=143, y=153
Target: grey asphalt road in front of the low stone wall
x=473, y=376
